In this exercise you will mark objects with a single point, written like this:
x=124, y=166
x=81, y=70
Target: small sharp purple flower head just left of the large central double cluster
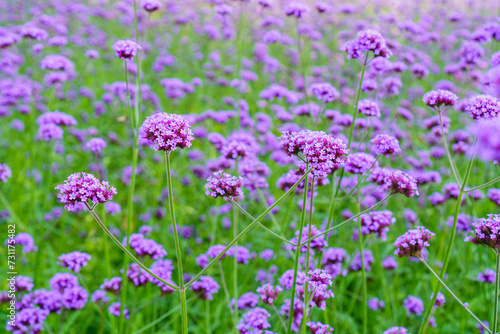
x=224, y=185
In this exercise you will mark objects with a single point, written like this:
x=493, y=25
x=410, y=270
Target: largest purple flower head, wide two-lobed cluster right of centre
x=323, y=152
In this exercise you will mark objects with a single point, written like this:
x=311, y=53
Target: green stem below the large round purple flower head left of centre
x=177, y=244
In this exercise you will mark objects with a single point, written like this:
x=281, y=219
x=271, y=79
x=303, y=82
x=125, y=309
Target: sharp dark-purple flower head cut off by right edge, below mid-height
x=486, y=231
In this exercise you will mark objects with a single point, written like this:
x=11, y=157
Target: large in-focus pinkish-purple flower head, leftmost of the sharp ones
x=82, y=188
